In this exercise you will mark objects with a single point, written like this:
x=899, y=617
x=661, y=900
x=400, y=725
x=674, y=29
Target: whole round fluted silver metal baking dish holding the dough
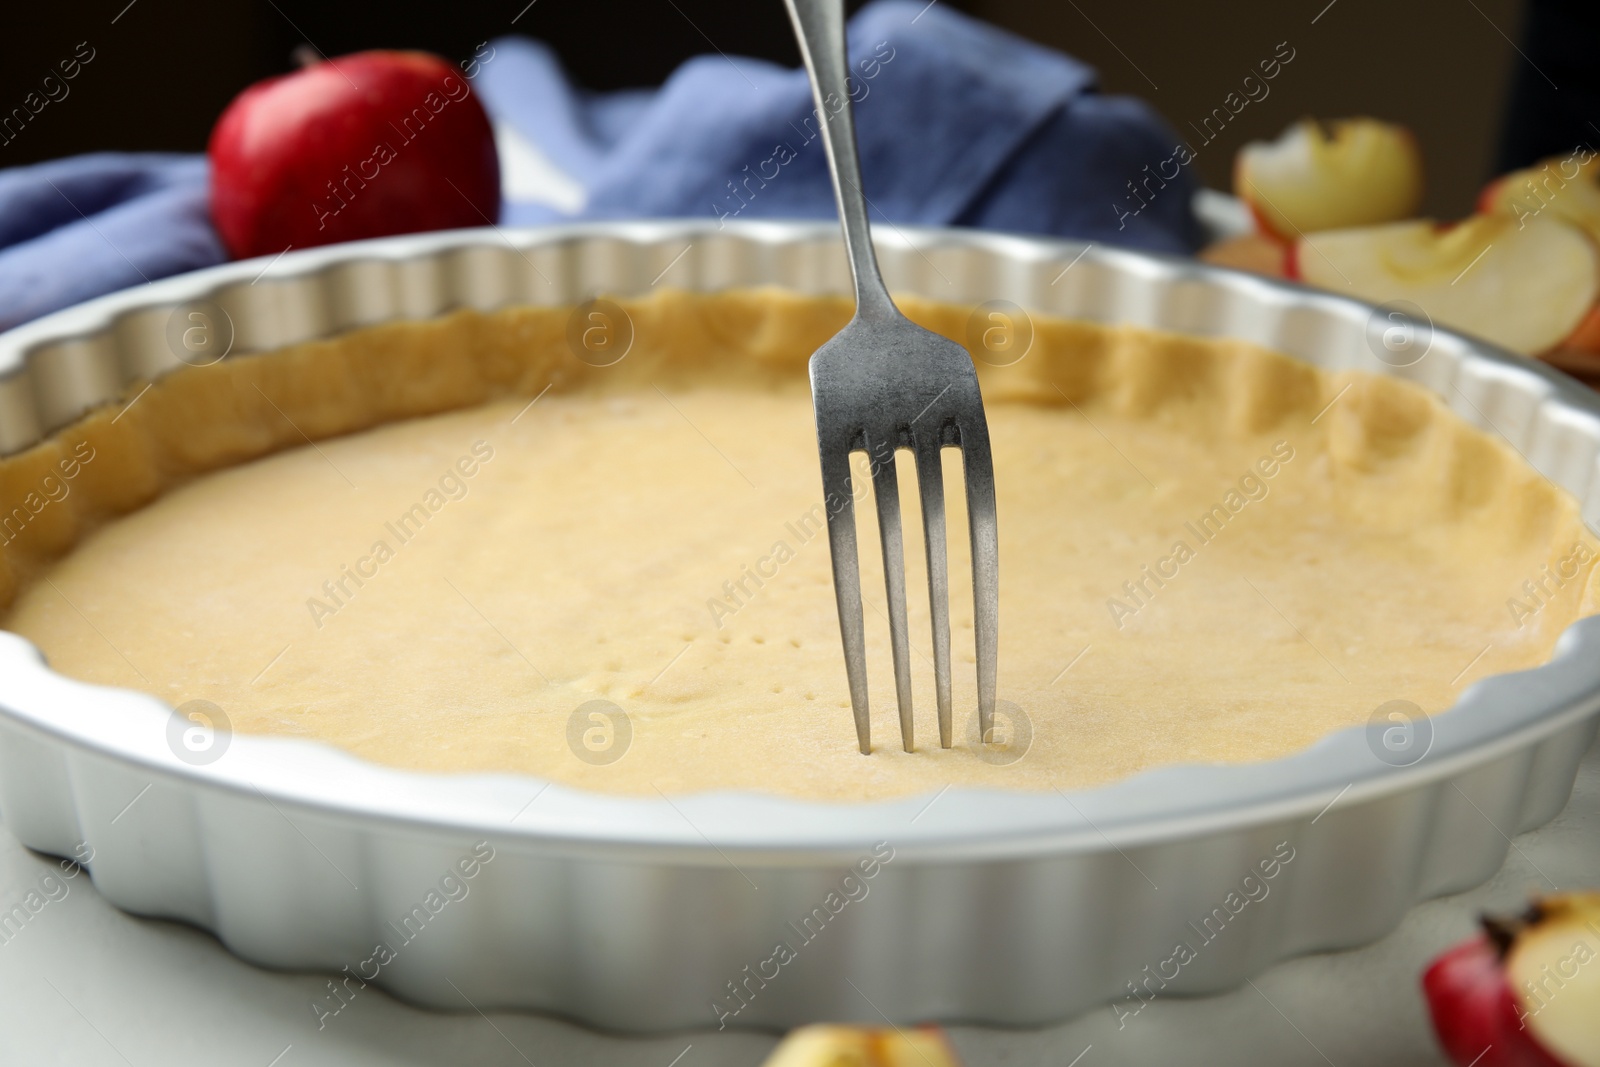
x=650, y=914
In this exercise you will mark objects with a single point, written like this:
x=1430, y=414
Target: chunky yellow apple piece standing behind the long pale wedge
x=1322, y=177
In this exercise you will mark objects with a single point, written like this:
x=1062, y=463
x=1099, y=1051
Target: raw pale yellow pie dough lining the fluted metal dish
x=639, y=535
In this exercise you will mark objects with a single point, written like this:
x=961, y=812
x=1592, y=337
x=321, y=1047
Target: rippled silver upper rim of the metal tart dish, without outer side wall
x=62, y=366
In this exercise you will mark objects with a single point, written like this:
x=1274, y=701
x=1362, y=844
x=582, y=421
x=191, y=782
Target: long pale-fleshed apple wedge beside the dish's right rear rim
x=1522, y=286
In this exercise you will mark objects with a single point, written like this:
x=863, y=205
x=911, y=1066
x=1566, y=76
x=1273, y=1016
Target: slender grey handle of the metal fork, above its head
x=820, y=26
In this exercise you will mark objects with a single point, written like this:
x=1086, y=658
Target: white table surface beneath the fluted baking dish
x=86, y=985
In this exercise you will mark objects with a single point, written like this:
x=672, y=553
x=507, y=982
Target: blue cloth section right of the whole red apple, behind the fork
x=959, y=124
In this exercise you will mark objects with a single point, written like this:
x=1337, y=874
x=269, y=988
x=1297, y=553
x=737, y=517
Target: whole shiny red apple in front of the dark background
x=362, y=146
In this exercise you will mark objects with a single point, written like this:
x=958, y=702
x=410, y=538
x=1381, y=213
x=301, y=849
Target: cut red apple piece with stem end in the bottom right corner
x=1527, y=994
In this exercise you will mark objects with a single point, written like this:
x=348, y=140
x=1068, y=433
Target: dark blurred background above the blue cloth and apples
x=164, y=70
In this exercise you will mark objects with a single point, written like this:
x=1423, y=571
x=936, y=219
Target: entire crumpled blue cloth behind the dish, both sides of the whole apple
x=959, y=124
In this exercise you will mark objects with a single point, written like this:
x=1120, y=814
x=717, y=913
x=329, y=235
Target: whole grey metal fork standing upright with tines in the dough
x=886, y=385
